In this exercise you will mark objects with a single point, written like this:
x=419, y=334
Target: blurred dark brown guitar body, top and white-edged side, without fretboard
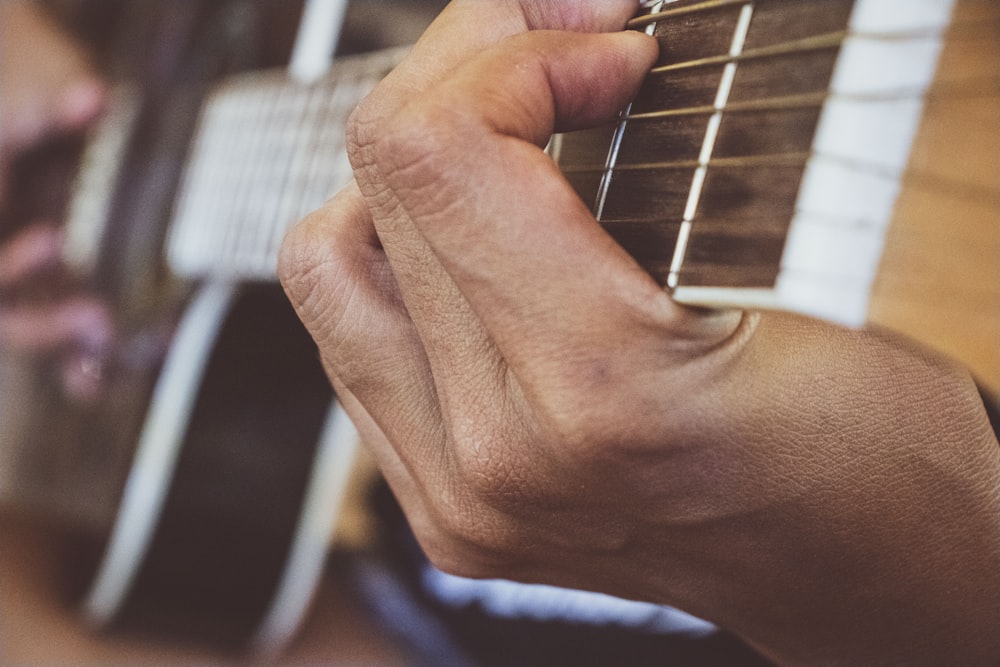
x=189, y=488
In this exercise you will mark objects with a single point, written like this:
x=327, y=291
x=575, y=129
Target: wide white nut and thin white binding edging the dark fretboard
x=852, y=178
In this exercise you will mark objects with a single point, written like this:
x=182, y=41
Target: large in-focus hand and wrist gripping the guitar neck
x=544, y=412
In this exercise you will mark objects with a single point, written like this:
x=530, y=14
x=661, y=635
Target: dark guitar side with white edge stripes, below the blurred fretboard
x=221, y=479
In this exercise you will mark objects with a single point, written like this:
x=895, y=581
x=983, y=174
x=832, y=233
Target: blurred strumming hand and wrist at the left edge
x=47, y=88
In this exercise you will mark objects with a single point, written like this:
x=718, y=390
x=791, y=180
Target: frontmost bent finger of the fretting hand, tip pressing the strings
x=522, y=248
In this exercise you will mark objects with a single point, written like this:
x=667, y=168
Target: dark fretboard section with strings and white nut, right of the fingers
x=760, y=163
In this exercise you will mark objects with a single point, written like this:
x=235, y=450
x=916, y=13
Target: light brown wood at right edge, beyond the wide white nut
x=940, y=276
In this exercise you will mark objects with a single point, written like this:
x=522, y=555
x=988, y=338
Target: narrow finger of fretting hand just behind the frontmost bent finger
x=462, y=31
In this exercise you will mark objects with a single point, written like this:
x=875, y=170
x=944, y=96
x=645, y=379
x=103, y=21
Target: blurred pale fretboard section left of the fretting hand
x=268, y=151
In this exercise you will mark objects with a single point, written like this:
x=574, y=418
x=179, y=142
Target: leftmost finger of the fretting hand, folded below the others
x=334, y=271
